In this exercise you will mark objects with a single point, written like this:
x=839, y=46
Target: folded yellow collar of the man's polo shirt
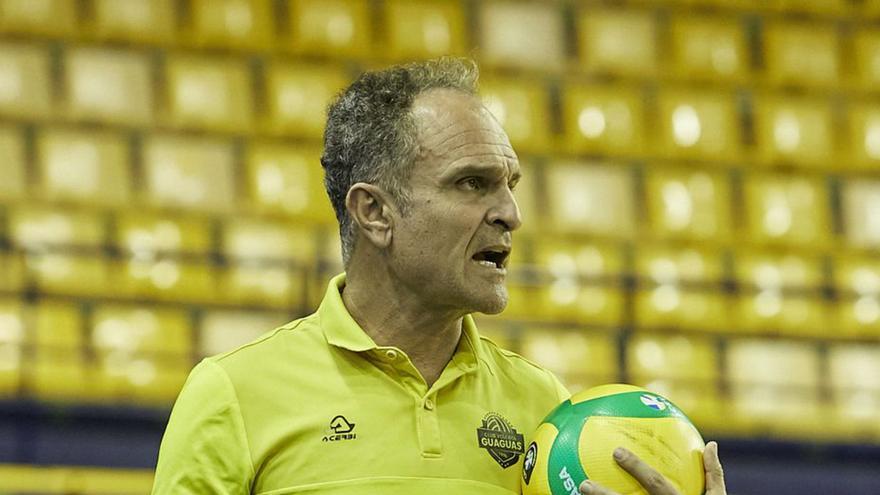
x=341, y=330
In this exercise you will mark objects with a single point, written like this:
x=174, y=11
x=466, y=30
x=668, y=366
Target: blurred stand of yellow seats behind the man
x=701, y=203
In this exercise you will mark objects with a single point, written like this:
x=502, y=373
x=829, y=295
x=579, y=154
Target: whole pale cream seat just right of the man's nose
x=591, y=198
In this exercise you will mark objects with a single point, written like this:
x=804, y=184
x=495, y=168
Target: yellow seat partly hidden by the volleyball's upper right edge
x=682, y=368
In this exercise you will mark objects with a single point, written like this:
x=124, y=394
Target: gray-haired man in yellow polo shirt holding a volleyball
x=387, y=388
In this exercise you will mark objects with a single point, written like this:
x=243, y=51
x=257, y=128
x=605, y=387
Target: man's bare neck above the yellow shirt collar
x=394, y=315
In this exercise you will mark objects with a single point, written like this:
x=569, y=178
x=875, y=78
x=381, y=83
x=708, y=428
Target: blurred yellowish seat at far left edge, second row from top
x=25, y=83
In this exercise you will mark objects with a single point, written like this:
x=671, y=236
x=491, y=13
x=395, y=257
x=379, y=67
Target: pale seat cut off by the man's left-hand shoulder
x=224, y=330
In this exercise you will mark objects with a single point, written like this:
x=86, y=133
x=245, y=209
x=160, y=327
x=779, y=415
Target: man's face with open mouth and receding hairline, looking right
x=451, y=249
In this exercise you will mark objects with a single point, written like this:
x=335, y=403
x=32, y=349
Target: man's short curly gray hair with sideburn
x=371, y=135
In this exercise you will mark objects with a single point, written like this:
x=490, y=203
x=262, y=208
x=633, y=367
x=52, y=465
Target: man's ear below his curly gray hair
x=370, y=209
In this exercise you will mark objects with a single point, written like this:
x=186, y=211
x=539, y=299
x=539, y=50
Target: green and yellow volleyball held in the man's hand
x=576, y=442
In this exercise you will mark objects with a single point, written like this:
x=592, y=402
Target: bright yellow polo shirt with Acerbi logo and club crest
x=316, y=407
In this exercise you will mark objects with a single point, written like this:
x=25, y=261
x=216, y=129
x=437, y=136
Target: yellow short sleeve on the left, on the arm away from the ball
x=205, y=447
